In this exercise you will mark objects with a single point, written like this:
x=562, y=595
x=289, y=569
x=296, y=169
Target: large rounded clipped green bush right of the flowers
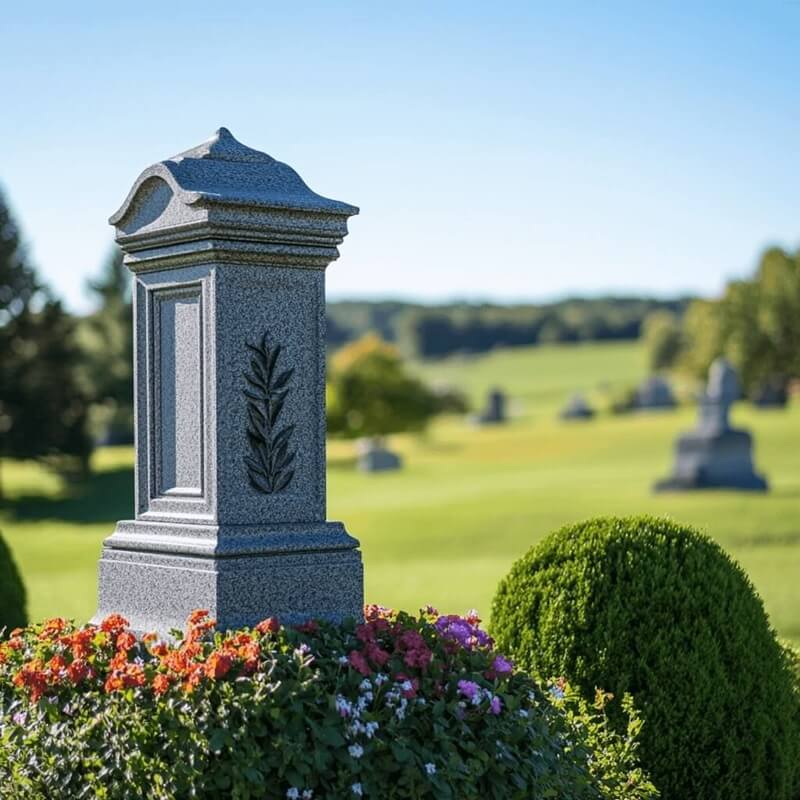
x=655, y=609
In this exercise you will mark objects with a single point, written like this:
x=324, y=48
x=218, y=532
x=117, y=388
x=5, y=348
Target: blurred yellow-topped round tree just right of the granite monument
x=372, y=394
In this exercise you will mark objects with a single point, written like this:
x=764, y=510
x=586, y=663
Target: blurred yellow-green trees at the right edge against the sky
x=755, y=324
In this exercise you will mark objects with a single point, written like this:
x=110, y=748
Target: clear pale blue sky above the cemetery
x=497, y=150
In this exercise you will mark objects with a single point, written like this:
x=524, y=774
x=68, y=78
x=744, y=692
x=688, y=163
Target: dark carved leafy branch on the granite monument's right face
x=271, y=456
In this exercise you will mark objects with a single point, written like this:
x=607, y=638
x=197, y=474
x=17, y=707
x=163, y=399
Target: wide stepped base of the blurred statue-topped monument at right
x=713, y=459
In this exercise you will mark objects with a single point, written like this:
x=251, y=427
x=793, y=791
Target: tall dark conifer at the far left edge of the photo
x=43, y=406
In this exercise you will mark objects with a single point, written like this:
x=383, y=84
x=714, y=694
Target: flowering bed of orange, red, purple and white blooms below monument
x=395, y=706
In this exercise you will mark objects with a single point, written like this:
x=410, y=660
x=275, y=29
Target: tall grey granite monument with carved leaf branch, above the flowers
x=229, y=248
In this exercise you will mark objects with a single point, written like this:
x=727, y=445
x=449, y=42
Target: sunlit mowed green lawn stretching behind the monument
x=470, y=500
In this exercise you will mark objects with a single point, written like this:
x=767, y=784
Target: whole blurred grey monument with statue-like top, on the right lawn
x=715, y=455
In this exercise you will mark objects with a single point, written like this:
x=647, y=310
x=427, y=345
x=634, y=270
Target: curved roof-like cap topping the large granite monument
x=224, y=172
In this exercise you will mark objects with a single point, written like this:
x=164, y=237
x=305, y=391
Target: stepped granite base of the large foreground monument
x=156, y=574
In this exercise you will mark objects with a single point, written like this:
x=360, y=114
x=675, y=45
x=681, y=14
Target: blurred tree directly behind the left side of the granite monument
x=106, y=337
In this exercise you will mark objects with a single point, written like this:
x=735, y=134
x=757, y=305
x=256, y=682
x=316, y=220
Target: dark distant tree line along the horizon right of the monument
x=439, y=331
